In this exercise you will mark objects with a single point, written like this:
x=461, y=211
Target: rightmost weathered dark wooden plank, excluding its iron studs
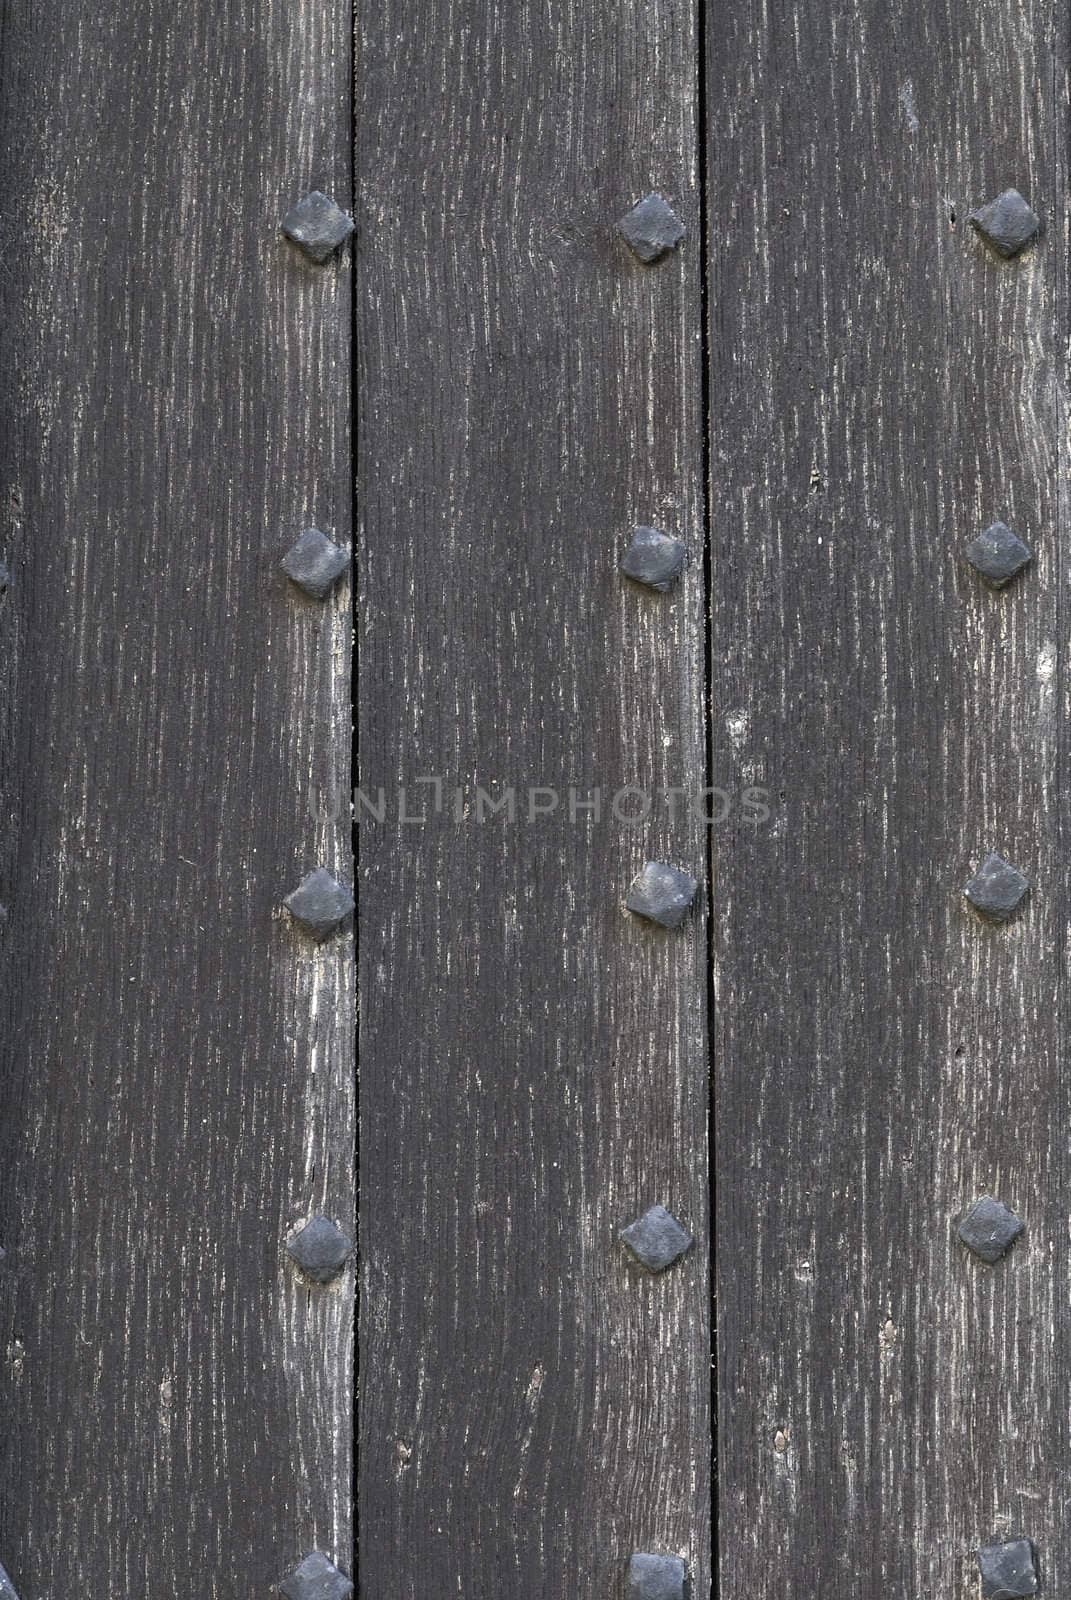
x=884, y=388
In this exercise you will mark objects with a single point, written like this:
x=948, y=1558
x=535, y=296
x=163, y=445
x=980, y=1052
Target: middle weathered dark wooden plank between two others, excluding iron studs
x=534, y=1060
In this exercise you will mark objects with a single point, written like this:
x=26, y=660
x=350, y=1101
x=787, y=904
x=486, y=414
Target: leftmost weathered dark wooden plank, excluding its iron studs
x=177, y=1076
